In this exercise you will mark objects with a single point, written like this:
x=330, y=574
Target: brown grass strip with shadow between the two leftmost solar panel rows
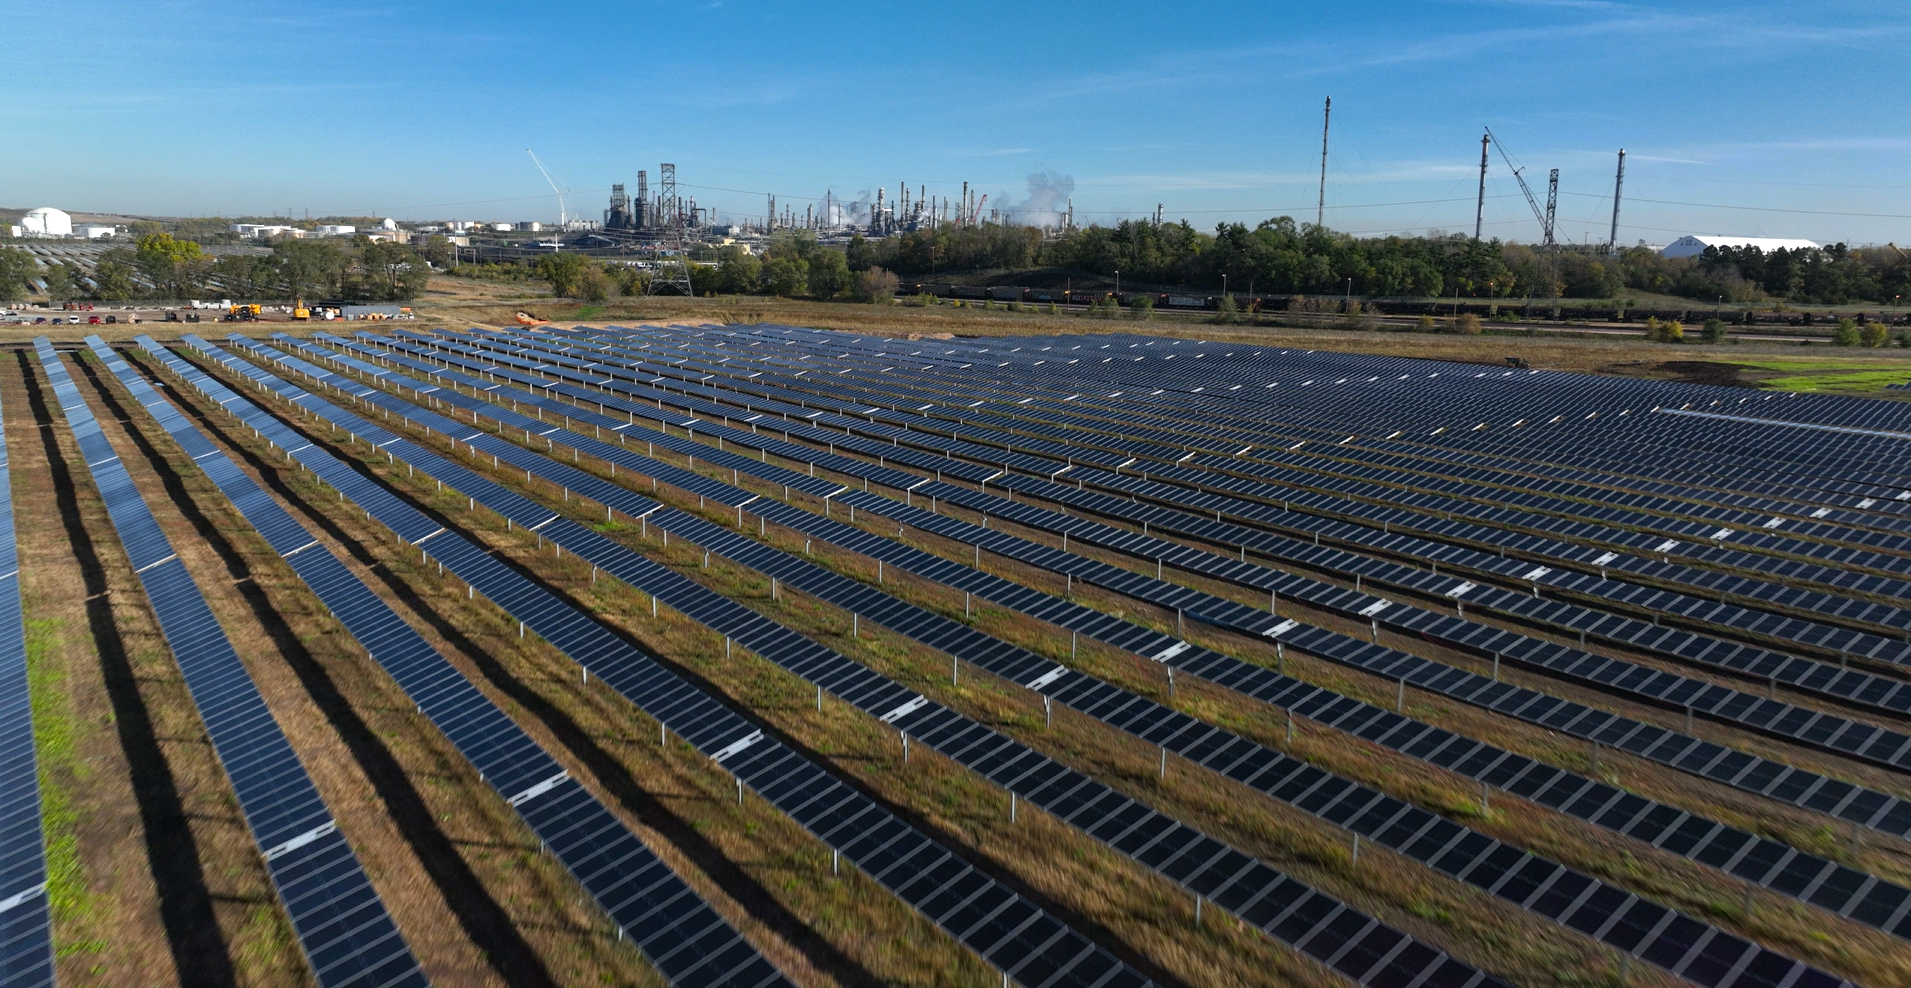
x=163, y=884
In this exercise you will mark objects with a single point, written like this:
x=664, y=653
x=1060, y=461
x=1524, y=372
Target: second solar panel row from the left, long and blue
x=341, y=922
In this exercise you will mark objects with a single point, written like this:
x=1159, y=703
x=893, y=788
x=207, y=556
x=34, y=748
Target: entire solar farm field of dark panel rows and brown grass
x=758, y=655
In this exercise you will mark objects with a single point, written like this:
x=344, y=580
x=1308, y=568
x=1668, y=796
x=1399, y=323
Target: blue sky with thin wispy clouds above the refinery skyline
x=1209, y=108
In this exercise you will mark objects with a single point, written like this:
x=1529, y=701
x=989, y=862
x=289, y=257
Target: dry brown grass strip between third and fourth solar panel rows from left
x=752, y=863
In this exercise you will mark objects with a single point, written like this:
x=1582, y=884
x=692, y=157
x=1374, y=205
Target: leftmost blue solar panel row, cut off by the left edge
x=26, y=916
